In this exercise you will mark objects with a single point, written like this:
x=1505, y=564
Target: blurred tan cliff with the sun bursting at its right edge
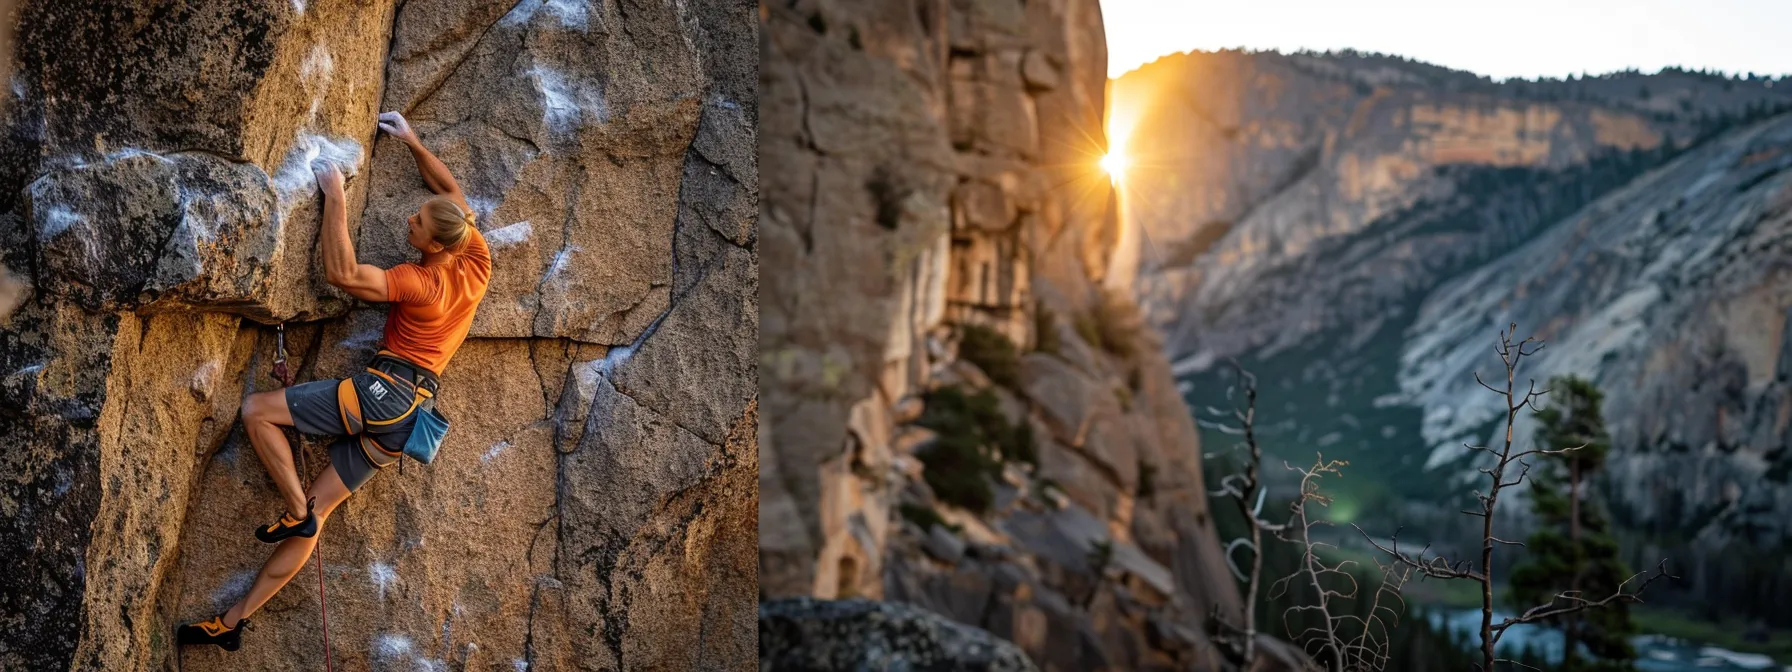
x=936, y=175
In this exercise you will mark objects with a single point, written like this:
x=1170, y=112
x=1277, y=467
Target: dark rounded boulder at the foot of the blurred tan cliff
x=861, y=635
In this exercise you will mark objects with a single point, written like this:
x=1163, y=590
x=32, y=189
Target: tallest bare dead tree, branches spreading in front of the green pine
x=1506, y=463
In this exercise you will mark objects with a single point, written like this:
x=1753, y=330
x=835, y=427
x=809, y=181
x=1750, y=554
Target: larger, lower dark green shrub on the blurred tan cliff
x=974, y=442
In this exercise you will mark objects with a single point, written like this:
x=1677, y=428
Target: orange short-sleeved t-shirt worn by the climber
x=433, y=306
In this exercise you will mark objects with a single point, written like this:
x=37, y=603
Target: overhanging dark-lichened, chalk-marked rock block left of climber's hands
x=245, y=96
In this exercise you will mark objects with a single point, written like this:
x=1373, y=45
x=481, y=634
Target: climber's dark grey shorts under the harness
x=361, y=420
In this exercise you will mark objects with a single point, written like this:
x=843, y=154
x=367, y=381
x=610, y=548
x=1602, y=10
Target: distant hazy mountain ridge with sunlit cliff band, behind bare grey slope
x=1370, y=173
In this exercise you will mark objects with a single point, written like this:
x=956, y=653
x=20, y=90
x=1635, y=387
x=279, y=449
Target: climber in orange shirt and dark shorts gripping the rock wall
x=374, y=413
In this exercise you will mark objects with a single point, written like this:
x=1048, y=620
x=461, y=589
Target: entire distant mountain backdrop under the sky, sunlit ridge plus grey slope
x=1359, y=228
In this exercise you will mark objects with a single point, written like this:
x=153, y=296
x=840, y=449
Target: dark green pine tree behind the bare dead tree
x=1574, y=547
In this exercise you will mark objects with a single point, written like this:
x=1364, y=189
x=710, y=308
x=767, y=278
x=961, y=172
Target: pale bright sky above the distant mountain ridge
x=1517, y=39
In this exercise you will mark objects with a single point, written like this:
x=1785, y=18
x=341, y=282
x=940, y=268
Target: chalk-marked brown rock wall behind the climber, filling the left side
x=592, y=504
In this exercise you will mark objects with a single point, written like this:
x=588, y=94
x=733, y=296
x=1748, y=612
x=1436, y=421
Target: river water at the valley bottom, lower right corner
x=1653, y=653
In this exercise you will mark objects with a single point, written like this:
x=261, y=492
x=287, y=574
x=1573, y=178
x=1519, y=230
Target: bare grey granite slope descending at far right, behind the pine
x=1671, y=293
